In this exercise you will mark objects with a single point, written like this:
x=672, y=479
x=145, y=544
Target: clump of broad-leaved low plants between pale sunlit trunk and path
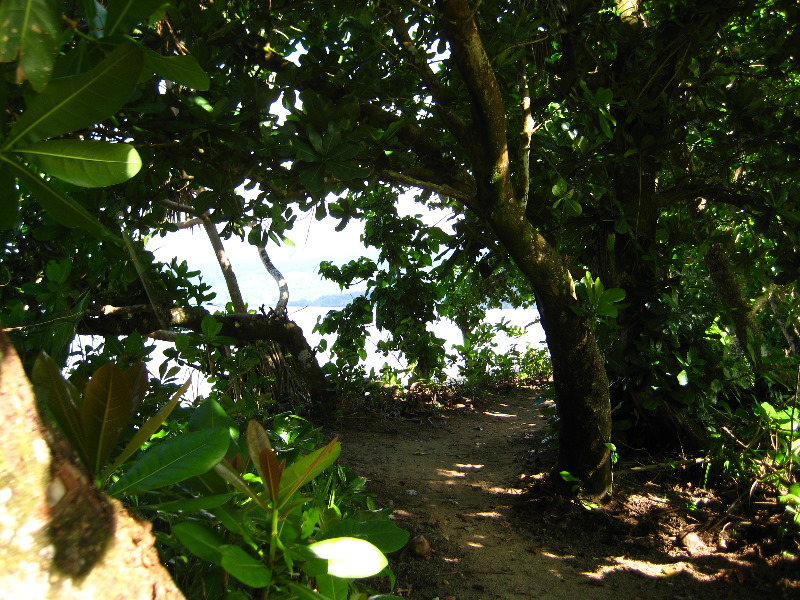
x=267, y=514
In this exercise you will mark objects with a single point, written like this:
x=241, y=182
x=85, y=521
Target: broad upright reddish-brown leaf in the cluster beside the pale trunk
x=109, y=402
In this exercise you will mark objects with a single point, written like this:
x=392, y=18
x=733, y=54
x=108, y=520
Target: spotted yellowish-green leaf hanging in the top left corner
x=30, y=35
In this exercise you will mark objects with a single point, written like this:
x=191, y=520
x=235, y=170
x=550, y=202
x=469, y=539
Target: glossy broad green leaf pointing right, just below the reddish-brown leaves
x=174, y=460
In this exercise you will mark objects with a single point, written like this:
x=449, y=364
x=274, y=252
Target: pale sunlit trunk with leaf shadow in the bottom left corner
x=61, y=538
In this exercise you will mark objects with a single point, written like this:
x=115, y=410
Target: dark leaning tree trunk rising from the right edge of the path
x=582, y=394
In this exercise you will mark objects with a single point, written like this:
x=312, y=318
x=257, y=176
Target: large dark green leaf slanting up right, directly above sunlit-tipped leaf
x=70, y=103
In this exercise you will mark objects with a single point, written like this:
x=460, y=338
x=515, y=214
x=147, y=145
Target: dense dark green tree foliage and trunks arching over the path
x=630, y=167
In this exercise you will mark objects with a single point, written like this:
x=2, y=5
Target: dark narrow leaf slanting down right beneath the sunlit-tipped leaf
x=60, y=206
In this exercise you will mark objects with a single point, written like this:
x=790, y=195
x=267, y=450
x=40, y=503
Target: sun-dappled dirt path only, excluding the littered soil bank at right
x=455, y=480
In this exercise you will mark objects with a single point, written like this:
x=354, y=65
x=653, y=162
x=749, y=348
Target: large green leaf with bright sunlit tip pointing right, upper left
x=87, y=163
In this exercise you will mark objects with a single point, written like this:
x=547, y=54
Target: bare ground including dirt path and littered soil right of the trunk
x=464, y=480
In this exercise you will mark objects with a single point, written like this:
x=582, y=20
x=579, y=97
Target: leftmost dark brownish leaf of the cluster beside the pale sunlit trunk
x=61, y=397
